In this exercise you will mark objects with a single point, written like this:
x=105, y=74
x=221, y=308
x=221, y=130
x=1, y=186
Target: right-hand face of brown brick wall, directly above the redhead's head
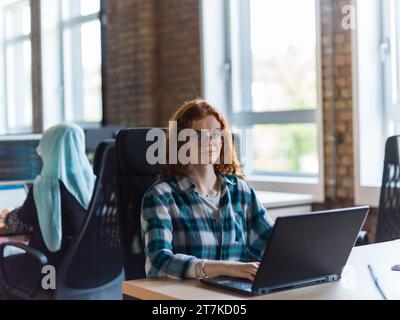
x=178, y=27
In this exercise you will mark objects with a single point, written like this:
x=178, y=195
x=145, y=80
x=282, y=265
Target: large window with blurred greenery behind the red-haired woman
x=270, y=69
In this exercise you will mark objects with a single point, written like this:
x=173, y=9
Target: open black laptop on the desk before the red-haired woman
x=303, y=250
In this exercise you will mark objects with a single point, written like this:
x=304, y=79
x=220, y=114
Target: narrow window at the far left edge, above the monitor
x=15, y=70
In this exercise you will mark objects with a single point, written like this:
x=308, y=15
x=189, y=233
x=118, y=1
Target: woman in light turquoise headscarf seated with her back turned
x=56, y=204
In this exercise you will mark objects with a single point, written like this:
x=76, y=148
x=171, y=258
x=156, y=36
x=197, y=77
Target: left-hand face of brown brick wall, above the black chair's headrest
x=130, y=62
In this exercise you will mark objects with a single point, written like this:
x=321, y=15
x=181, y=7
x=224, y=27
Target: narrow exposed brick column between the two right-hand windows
x=339, y=169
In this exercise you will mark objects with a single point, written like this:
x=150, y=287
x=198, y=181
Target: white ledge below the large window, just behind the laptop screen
x=284, y=204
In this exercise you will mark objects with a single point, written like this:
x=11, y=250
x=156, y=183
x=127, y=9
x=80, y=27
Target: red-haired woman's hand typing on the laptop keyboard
x=231, y=269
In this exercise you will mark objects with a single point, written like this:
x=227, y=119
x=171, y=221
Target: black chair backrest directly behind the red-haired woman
x=135, y=176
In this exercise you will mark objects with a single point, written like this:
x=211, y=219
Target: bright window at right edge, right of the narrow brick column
x=376, y=91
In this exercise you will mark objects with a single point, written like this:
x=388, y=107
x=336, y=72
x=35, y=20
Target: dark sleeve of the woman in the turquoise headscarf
x=22, y=220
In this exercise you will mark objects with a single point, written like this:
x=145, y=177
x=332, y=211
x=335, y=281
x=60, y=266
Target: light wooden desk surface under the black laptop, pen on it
x=356, y=282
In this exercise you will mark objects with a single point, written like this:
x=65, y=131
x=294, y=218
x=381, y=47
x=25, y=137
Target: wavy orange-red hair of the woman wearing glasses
x=184, y=117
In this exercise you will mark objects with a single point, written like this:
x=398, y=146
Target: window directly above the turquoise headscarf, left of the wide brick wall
x=71, y=44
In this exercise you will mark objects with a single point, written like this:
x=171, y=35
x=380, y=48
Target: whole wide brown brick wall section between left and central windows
x=152, y=59
